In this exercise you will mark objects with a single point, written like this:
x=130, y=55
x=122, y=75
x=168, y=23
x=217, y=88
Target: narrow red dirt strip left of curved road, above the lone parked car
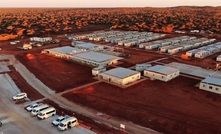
x=23, y=85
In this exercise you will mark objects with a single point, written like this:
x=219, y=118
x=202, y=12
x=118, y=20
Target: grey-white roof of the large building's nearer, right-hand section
x=96, y=57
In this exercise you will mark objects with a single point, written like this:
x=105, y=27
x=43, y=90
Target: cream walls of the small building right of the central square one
x=161, y=76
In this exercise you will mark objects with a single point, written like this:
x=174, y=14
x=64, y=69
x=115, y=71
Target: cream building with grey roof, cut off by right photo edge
x=211, y=84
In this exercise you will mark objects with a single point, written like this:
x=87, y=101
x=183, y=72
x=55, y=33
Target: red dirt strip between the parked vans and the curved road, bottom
x=89, y=123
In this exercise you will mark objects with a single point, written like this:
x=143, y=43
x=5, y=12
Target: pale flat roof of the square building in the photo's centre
x=120, y=72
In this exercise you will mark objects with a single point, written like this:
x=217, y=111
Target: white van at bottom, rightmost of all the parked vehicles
x=67, y=123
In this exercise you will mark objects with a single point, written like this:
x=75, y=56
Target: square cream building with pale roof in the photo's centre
x=120, y=76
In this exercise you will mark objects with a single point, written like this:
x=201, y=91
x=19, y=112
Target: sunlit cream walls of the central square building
x=119, y=81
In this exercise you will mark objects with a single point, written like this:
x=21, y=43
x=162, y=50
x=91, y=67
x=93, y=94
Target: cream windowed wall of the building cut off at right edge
x=210, y=88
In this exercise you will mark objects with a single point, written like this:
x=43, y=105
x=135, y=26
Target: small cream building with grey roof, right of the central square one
x=163, y=73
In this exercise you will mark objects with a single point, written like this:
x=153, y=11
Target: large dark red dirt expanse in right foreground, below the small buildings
x=179, y=107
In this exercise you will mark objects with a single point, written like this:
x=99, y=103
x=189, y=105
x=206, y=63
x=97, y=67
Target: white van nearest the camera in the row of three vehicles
x=47, y=113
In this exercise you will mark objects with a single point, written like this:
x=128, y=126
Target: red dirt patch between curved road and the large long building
x=57, y=74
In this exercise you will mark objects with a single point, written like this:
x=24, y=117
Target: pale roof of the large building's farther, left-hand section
x=66, y=50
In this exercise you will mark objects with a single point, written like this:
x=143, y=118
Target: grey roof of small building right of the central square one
x=162, y=69
